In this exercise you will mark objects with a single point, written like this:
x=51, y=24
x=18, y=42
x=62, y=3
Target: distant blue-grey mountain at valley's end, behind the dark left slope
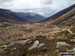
x=30, y=17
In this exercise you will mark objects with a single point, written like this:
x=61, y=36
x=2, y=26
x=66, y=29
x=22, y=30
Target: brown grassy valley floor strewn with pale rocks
x=50, y=39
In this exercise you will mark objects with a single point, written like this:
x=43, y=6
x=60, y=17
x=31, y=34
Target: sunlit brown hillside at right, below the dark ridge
x=66, y=19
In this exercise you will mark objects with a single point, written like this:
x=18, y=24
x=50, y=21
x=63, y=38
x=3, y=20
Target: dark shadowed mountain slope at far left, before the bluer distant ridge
x=4, y=13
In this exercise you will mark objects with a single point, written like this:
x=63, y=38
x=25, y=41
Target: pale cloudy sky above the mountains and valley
x=42, y=7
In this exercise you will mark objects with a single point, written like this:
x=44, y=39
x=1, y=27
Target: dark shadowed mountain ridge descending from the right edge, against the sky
x=60, y=13
